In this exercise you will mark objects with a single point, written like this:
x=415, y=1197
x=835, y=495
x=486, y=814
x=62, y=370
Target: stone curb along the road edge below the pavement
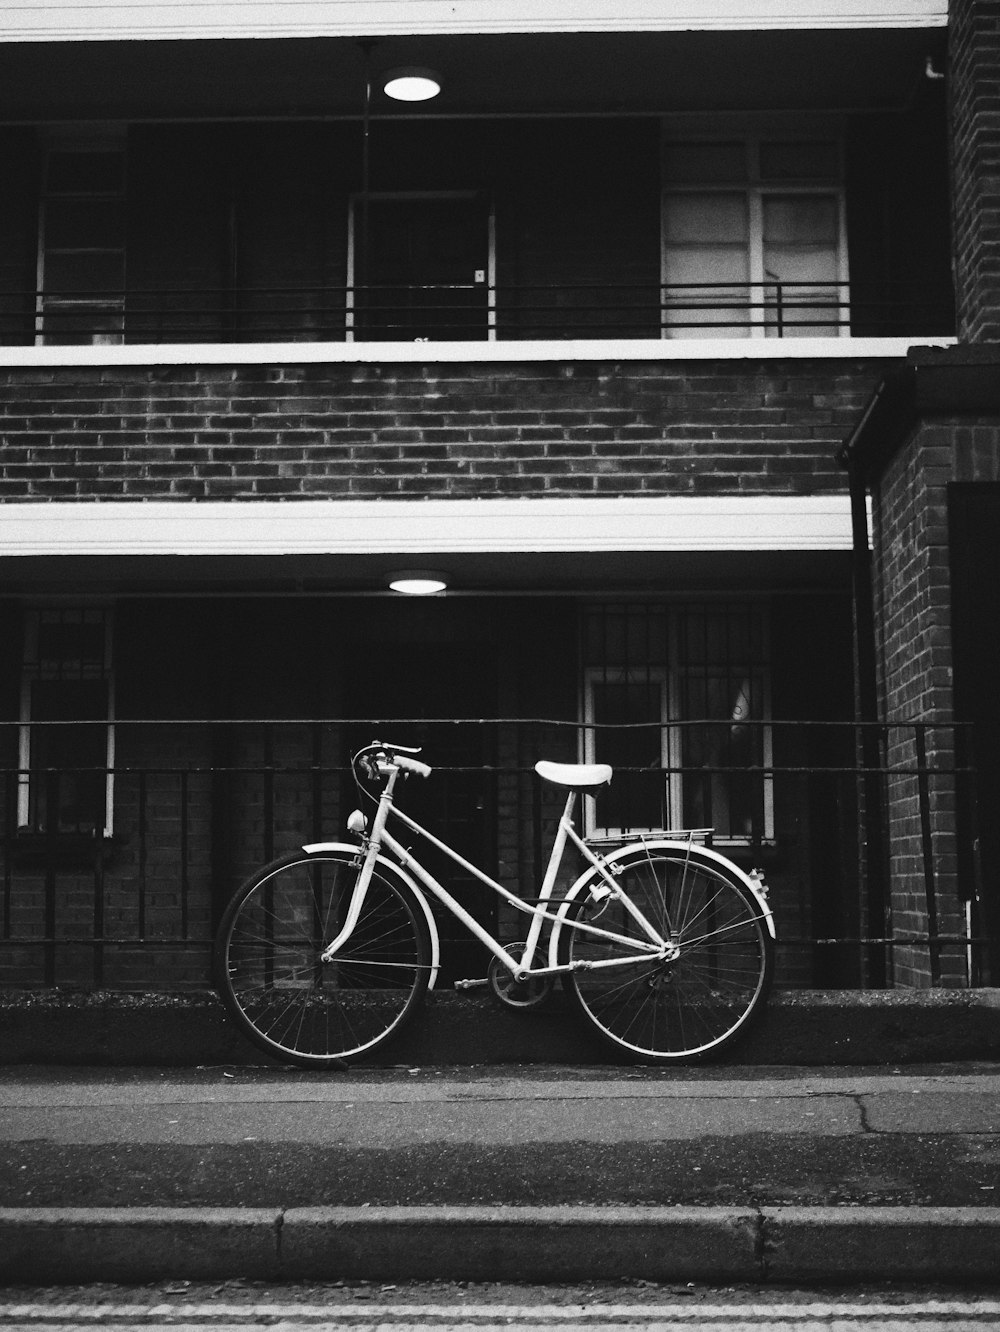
x=777, y=1245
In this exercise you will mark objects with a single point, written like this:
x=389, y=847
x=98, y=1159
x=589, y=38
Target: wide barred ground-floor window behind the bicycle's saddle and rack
x=677, y=700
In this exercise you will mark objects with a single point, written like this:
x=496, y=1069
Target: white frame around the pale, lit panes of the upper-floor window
x=754, y=190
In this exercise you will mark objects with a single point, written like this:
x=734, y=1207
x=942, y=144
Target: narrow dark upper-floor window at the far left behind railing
x=82, y=243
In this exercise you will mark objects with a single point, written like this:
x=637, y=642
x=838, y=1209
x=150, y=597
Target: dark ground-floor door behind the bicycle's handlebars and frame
x=432, y=696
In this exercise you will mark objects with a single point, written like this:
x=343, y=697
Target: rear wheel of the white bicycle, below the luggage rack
x=688, y=1009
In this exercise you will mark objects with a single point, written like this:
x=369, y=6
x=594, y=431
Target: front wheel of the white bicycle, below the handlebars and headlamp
x=296, y=1008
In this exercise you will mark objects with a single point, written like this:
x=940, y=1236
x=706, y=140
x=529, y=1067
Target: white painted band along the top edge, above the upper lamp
x=118, y=21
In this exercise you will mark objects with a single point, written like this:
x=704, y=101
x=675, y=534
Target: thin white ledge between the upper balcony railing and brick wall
x=393, y=354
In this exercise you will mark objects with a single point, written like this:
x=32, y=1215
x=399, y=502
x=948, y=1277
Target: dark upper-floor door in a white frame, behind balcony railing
x=421, y=267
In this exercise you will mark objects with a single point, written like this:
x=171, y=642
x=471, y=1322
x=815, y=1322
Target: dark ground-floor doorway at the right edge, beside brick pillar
x=974, y=519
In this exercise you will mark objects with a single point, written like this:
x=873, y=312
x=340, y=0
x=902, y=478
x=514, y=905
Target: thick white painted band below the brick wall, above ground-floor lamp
x=416, y=528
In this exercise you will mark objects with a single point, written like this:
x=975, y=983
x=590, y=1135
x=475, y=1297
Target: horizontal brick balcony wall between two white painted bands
x=433, y=431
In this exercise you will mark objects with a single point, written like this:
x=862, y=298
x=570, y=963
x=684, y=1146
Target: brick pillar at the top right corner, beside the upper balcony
x=974, y=75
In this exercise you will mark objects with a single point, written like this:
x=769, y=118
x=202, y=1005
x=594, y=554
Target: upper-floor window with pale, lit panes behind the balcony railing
x=754, y=239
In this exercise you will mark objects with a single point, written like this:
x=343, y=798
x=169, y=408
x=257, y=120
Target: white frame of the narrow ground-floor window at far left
x=27, y=775
